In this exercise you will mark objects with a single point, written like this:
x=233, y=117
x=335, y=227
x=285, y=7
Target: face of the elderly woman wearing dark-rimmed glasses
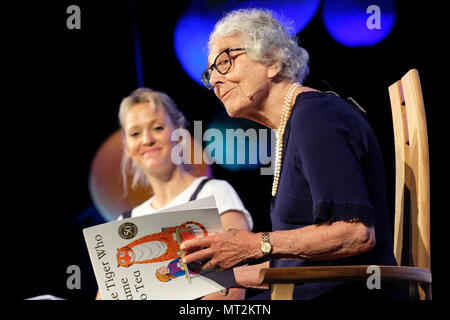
x=244, y=86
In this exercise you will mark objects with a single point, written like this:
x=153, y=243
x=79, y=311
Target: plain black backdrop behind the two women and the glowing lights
x=60, y=95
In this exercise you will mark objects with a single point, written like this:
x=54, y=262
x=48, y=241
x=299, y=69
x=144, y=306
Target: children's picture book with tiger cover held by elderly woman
x=139, y=258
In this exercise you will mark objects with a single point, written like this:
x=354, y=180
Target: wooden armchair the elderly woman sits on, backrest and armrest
x=412, y=207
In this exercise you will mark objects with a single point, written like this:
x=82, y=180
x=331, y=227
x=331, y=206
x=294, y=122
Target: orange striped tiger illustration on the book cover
x=158, y=247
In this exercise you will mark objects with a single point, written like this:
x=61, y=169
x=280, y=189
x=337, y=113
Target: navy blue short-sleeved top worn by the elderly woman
x=332, y=170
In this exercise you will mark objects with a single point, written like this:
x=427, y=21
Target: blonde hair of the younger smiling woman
x=156, y=100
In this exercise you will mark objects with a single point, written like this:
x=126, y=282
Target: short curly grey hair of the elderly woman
x=266, y=40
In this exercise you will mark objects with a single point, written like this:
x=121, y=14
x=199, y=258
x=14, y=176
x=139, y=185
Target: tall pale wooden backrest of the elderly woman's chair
x=412, y=182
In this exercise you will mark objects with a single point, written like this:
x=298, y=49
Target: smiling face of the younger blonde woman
x=148, y=134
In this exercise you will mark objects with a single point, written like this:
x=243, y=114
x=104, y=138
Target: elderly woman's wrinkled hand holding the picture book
x=224, y=250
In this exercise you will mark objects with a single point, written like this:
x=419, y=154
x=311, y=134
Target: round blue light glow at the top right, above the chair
x=358, y=23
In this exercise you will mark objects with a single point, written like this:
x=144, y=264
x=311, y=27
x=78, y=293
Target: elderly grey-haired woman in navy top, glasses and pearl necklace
x=329, y=204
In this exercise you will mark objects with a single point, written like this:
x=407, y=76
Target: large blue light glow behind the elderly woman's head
x=193, y=28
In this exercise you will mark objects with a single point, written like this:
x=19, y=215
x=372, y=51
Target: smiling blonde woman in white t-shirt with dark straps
x=147, y=120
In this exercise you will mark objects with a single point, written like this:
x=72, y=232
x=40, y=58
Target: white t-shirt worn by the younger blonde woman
x=226, y=199
